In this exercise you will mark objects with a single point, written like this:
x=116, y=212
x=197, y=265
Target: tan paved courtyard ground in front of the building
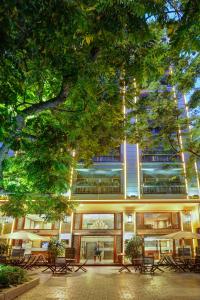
x=106, y=283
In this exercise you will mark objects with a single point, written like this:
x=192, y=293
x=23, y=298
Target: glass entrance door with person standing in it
x=105, y=245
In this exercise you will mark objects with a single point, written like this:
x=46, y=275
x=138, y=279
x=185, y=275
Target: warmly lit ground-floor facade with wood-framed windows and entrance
x=99, y=230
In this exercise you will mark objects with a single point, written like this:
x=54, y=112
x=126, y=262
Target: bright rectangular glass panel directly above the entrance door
x=98, y=221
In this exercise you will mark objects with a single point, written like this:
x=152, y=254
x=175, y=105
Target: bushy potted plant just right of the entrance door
x=134, y=248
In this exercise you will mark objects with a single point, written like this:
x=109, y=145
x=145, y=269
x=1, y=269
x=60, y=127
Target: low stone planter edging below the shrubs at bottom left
x=12, y=293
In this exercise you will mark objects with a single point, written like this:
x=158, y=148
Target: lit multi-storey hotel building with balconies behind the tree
x=125, y=193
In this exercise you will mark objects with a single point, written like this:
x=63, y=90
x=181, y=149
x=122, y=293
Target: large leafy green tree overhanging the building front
x=61, y=67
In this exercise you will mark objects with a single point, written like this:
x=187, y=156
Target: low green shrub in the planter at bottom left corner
x=11, y=276
